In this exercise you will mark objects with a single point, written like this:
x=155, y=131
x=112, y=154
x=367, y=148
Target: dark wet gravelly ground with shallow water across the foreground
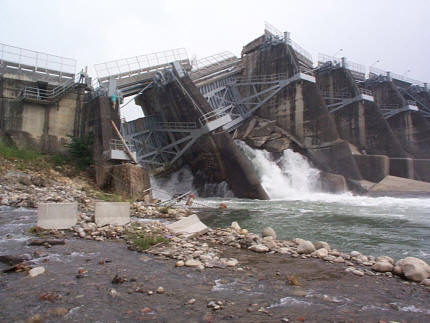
x=77, y=287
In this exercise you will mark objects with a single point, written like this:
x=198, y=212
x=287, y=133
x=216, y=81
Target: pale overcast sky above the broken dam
x=395, y=32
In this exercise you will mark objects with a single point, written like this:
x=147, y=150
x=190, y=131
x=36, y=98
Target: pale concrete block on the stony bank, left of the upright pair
x=57, y=215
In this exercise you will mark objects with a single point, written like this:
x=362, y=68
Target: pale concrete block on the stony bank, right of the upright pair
x=112, y=213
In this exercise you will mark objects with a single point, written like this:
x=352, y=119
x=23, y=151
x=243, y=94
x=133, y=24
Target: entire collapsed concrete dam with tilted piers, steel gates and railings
x=356, y=128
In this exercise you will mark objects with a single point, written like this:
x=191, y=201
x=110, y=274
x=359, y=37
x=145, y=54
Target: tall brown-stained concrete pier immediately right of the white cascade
x=300, y=110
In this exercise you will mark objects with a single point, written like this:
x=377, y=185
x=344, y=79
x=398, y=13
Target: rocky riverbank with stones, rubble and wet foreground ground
x=94, y=277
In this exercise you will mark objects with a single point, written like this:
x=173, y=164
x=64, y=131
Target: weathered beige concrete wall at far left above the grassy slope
x=42, y=127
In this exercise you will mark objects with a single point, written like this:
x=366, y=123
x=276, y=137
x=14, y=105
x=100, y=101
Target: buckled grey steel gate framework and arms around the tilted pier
x=162, y=143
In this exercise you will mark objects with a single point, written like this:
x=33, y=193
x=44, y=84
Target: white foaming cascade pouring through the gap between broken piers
x=288, y=177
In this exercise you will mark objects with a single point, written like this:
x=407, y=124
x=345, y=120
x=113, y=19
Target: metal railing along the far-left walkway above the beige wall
x=37, y=62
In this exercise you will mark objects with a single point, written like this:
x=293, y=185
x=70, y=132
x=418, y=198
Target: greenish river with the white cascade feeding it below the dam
x=398, y=227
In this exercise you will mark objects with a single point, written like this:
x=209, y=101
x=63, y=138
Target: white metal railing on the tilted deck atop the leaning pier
x=127, y=67
